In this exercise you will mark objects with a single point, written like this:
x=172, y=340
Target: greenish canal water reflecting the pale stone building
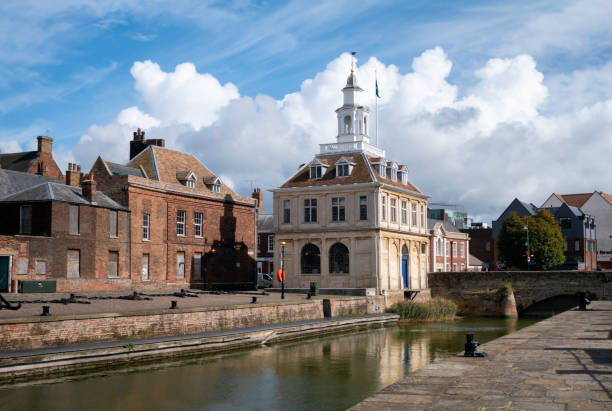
x=328, y=373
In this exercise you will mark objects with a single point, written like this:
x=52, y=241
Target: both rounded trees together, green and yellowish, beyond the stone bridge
x=546, y=243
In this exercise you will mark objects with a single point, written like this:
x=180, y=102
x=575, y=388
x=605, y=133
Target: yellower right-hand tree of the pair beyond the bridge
x=545, y=240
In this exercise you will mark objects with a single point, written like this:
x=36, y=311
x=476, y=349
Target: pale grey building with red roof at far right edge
x=599, y=205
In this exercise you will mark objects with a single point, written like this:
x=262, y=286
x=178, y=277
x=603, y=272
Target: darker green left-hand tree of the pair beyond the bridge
x=511, y=242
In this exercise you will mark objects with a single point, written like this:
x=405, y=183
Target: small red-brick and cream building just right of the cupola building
x=450, y=248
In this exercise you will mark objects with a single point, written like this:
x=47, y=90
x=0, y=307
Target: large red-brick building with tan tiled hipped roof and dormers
x=187, y=227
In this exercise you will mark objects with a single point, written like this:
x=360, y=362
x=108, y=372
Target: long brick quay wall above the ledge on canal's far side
x=31, y=333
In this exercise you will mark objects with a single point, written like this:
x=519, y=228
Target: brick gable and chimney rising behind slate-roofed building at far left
x=39, y=162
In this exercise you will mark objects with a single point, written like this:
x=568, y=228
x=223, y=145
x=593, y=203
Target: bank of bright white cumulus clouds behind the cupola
x=479, y=147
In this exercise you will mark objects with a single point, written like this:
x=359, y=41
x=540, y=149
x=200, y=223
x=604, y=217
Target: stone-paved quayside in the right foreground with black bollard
x=561, y=363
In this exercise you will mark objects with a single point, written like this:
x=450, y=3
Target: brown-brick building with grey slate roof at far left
x=69, y=233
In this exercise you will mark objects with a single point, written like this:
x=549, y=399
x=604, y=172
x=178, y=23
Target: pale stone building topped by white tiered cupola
x=350, y=217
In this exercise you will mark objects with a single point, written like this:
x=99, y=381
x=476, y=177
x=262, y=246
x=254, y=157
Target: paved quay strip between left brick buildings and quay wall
x=109, y=302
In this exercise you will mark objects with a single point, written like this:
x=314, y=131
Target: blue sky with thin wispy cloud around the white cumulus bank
x=66, y=66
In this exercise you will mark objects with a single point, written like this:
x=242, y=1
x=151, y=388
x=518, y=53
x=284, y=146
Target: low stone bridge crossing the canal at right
x=534, y=291
